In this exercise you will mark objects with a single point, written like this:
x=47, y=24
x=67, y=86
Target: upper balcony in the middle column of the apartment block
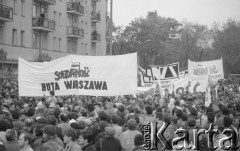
x=75, y=8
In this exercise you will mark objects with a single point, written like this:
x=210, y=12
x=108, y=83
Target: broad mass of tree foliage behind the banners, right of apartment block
x=159, y=40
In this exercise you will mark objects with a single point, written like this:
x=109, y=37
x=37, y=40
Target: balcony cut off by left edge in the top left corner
x=6, y=13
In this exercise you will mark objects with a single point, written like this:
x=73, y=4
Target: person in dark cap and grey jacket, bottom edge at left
x=51, y=141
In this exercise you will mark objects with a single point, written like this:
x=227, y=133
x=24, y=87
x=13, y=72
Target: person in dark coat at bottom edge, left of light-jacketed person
x=109, y=143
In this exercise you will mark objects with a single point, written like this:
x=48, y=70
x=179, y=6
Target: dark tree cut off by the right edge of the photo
x=227, y=45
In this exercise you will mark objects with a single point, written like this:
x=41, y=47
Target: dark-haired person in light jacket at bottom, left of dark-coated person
x=70, y=139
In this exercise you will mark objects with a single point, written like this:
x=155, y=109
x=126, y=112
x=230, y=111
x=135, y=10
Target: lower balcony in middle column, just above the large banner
x=75, y=32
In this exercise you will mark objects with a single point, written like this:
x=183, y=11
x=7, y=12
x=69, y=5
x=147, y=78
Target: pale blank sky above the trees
x=198, y=11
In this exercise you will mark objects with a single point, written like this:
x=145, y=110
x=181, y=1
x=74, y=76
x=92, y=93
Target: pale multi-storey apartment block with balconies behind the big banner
x=50, y=28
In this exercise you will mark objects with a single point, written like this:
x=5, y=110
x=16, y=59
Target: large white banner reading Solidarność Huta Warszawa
x=79, y=75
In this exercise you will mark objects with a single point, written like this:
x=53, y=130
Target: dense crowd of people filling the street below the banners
x=87, y=123
